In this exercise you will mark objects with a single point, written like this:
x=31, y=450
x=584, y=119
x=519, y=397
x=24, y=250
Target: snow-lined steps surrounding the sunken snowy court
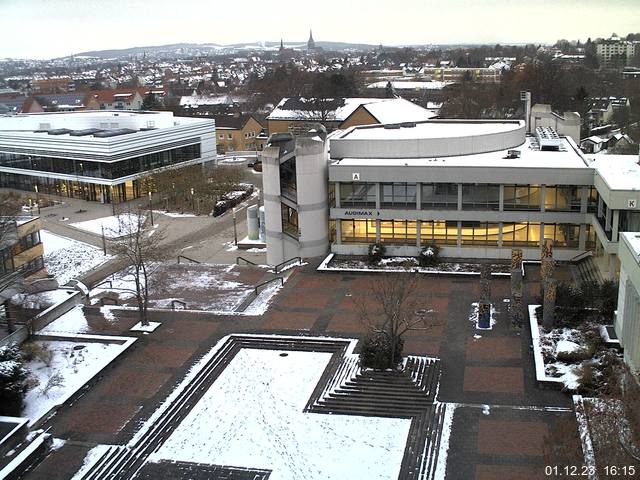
x=344, y=388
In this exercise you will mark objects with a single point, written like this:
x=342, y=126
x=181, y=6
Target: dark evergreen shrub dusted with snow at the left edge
x=13, y=380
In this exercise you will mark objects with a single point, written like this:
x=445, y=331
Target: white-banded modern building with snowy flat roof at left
x=98, y=155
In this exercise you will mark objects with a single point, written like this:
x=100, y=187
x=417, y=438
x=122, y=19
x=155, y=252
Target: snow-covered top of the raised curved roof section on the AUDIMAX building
x=431, y=130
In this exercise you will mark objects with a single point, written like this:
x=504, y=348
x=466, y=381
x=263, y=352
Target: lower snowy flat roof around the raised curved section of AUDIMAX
x=530, y=157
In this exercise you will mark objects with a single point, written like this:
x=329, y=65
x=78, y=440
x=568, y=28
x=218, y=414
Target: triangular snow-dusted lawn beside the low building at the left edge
x=66, y=258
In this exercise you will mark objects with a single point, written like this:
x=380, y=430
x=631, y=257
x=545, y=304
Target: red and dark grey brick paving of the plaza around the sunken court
x=495, y=369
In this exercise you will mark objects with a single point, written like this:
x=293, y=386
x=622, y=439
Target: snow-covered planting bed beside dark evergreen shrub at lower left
x=74, y=366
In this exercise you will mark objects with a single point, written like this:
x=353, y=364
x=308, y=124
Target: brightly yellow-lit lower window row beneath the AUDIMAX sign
x=404, y=232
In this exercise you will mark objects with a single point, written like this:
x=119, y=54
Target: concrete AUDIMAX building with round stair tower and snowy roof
x=475, y=188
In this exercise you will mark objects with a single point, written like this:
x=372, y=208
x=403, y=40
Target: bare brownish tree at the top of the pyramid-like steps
x=396, y=304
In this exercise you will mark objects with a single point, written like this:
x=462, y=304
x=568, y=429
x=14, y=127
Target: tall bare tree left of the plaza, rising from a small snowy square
x=141, y=249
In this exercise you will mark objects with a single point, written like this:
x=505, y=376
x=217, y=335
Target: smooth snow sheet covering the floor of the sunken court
x=252, y=416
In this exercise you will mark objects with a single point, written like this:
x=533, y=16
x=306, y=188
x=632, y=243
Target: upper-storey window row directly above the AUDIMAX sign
x=481, y=196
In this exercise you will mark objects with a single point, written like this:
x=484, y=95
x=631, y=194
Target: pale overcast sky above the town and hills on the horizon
x=53, y=28
